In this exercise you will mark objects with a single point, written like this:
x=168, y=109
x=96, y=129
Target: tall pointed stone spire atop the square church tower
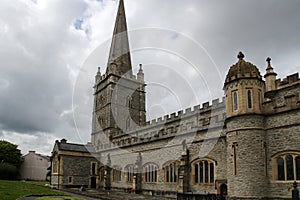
x=119, y=61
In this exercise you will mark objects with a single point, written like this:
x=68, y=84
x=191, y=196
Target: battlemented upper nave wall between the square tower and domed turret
x=191, y=120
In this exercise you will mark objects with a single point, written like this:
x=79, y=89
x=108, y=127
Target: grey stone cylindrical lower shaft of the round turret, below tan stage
x=246, y=135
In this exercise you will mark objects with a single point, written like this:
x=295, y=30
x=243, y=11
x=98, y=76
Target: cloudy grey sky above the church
x=50, y=51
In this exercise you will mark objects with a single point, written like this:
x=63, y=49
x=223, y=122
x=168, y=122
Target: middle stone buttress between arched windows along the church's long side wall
x=137, y=176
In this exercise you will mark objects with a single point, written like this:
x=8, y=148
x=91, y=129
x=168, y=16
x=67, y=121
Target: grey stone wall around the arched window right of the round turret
x=283, y=135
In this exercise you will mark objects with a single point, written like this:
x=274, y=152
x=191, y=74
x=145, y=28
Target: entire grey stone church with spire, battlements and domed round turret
x=246, y=146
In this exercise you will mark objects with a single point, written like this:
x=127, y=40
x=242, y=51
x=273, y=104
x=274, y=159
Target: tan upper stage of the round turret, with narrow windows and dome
x=243, y=88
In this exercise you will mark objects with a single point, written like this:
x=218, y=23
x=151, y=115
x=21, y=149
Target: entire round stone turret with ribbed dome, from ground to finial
x=246, y=161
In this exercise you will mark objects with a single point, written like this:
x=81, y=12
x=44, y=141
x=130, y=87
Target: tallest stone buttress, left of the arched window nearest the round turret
x=183, y=184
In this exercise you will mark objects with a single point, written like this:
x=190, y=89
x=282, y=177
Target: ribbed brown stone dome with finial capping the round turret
x=242, y=69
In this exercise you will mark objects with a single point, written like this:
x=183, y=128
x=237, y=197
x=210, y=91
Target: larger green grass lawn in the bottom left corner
x=11, y=190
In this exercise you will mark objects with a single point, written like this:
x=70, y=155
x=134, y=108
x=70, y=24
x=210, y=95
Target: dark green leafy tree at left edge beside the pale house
x=9, y=153
